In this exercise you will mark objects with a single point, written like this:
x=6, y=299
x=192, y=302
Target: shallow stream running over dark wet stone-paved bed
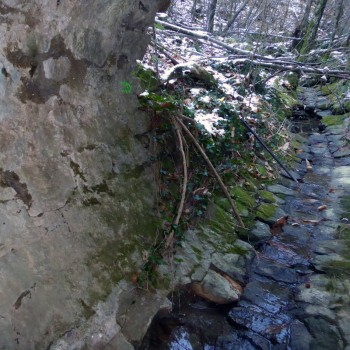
x=297, y=292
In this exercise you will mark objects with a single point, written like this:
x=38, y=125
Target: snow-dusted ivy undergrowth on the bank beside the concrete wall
x=236, y=155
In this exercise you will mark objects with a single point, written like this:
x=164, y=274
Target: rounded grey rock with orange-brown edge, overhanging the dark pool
x=218, y=289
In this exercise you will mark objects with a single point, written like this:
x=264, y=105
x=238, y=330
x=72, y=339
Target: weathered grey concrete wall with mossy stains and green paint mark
x=76, y=190
